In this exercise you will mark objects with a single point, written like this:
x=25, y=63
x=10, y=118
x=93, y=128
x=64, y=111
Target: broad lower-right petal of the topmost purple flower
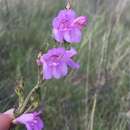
x=73, y=35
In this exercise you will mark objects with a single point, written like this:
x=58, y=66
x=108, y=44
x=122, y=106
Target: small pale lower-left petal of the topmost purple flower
x=57, y=35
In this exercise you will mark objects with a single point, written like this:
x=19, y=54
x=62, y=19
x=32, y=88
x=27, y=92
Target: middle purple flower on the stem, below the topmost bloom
x=56, y=61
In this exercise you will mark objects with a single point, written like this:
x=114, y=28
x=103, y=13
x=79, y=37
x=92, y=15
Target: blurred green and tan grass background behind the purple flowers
x=97, y=96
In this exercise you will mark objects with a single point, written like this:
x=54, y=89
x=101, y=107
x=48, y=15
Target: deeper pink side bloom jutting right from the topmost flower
x=80, y=22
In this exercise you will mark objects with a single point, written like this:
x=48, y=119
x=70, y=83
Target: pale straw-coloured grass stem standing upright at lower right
x=93, y=111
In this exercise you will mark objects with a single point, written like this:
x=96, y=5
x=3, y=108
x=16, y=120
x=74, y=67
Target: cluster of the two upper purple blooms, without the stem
x=66, y=27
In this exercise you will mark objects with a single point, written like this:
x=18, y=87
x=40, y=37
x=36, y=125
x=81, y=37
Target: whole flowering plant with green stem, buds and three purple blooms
x=66, y=28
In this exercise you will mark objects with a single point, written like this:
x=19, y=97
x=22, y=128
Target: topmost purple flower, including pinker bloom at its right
x=68, y=27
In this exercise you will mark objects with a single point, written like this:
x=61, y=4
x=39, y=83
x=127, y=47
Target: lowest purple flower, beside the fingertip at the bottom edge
x=32, y=121
